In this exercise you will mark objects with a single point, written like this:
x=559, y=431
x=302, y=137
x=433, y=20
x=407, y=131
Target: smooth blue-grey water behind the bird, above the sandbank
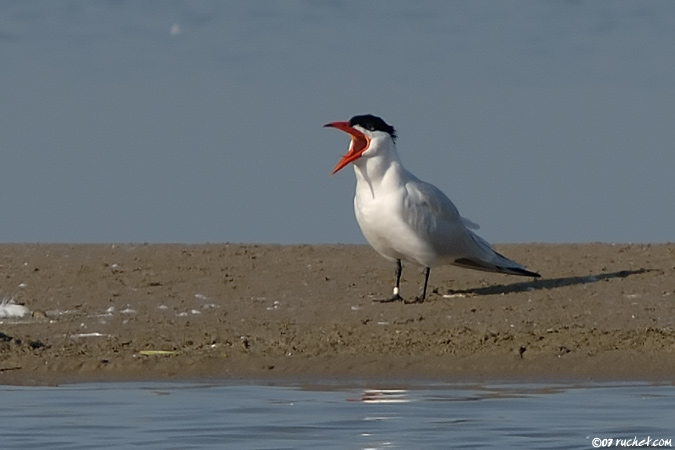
x=200, y=121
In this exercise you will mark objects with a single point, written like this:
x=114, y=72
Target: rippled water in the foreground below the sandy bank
x=243, y=416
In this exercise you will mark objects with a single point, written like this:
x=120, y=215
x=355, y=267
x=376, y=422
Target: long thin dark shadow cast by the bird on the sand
x=538, y=285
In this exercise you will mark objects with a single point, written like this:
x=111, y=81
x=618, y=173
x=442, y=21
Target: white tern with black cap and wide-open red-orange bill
x=406, y=219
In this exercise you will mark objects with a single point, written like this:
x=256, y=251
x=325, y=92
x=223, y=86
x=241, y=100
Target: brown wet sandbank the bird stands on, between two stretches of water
x=107, y=312
